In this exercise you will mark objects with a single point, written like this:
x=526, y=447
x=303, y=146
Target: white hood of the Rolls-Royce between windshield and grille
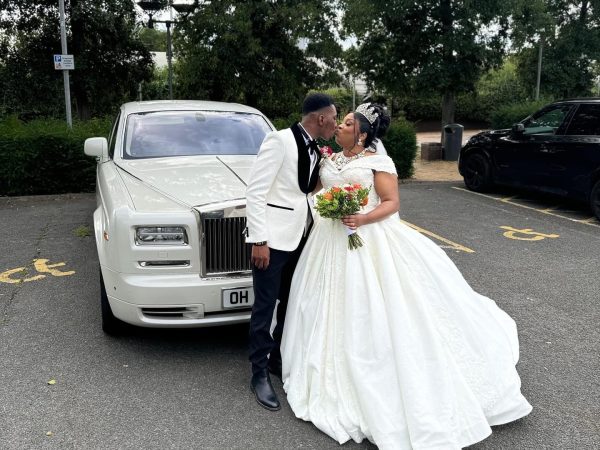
x=192, y=180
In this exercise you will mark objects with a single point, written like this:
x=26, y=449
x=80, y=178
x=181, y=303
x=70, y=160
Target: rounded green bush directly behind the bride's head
x=401, y=144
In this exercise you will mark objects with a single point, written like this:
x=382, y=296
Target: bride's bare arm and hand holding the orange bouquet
x=386, y=186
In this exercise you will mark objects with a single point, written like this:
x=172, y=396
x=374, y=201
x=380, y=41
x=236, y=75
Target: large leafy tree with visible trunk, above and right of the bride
x=441, y=46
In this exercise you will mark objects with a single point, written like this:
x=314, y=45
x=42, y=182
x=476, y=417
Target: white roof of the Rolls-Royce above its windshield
x=185, y=105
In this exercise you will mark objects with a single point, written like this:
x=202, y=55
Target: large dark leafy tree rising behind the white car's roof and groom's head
x=266, y=54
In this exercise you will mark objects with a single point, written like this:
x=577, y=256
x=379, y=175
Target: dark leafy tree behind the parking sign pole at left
x=110, y=60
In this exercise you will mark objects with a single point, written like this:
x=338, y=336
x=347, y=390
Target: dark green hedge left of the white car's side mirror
x=45, y=157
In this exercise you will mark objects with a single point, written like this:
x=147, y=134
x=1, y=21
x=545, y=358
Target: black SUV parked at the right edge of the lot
x=555, y=150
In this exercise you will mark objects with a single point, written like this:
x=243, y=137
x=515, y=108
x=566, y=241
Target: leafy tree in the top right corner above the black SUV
x=570, y=38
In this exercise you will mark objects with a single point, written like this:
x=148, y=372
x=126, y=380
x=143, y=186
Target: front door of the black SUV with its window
x=522, y=158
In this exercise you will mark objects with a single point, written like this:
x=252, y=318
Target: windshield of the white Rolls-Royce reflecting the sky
x=184, y=133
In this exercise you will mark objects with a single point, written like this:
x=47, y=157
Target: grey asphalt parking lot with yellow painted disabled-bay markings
x=64, y=384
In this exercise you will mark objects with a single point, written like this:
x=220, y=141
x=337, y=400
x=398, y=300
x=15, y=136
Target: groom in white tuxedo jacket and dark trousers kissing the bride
x=279, y=219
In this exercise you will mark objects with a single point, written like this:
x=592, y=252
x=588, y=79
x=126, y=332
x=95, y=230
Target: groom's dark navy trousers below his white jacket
x=269, y=285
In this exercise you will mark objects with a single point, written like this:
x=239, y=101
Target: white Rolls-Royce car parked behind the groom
x=171, y=213
